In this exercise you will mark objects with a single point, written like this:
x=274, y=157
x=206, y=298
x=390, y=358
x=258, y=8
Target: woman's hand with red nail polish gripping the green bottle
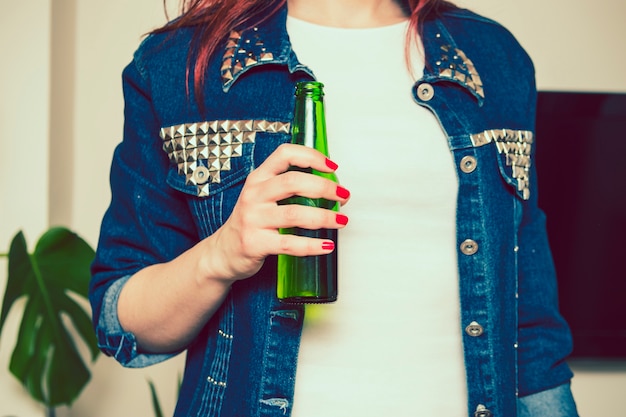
x=251, y=232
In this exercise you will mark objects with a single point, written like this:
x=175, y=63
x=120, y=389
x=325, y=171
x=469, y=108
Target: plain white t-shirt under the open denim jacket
x=392, y=343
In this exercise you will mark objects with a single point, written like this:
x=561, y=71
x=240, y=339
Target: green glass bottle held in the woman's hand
x=309, y=279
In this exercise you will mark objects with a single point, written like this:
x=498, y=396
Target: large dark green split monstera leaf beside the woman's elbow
x=52, y=279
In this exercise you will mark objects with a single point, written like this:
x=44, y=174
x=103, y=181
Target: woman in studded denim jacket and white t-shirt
x=447, y=298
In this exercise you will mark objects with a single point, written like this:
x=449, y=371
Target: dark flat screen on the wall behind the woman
x=581, y=166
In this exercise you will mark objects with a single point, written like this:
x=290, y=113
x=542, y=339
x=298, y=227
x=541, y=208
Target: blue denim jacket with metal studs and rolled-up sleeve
x=179, y=169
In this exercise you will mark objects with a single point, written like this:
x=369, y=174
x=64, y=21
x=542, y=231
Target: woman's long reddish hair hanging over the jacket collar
x=215, y=19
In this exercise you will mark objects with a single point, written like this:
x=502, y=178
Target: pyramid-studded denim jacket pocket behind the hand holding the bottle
x=209, y=162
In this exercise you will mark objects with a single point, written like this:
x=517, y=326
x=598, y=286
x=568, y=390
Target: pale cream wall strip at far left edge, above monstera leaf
x=24, y=88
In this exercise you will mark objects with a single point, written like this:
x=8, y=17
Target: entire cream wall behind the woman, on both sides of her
x=63, y=58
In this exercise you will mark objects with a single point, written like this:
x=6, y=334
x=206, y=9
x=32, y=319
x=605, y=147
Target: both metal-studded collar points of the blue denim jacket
x=268, y=43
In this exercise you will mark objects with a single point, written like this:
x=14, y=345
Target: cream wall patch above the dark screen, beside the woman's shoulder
x=575, y=44
